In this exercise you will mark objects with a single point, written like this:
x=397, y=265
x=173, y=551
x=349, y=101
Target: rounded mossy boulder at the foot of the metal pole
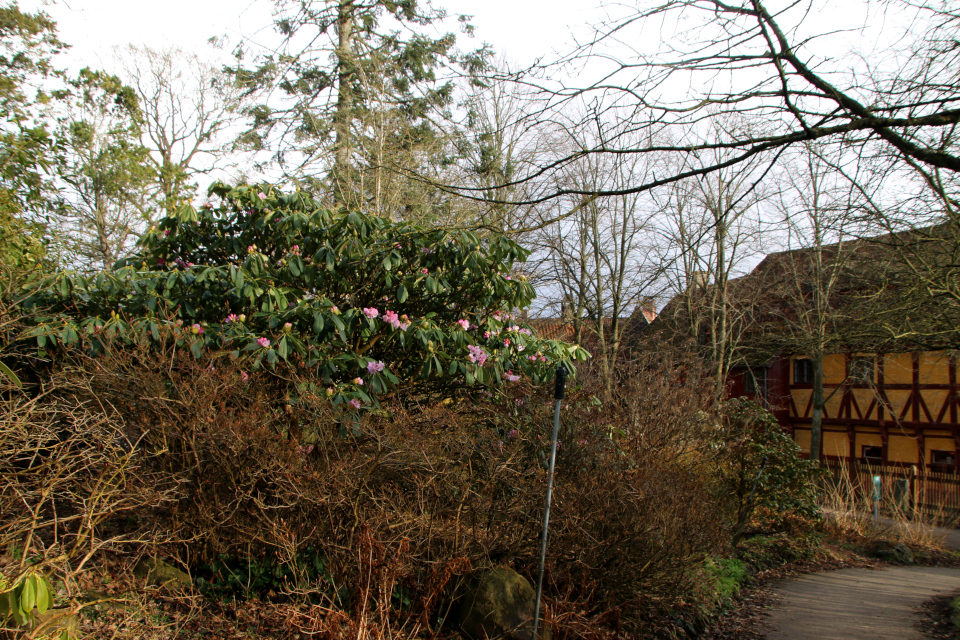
x=497, y=604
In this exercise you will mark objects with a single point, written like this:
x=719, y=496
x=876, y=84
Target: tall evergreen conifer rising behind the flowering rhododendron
x=359, y=96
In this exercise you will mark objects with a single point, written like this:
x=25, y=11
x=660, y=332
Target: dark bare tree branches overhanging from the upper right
x=742, y=59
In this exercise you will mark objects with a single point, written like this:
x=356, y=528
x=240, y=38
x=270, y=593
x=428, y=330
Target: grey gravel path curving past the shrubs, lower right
x=856, y=604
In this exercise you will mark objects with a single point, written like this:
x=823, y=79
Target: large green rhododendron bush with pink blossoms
x=366, y=304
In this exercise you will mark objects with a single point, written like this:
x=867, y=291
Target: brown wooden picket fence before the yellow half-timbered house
x=904, y=489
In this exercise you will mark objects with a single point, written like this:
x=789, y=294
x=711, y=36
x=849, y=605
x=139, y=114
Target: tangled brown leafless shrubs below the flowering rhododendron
x=320, y=523
